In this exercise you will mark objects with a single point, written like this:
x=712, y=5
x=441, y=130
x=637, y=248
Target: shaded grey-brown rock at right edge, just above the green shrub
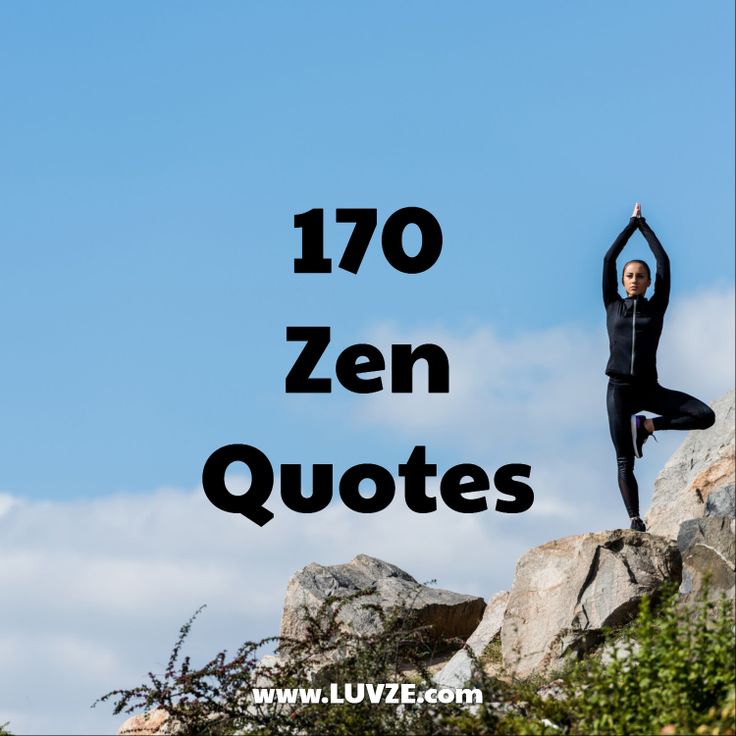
x=708, y=549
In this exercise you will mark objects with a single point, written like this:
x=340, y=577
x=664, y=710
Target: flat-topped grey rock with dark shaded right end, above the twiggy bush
x=449, y=614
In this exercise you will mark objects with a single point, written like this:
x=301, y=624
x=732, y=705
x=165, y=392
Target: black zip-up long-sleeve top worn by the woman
x=635, y=323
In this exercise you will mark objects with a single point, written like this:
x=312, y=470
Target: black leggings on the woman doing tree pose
x=677, y=410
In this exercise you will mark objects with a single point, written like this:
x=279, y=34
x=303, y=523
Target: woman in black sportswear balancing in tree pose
x=634, y=327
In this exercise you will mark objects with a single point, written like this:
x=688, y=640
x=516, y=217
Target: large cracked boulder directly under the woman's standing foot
x=567, y=590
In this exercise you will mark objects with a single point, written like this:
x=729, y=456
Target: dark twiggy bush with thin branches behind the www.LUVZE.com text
x=215, y=699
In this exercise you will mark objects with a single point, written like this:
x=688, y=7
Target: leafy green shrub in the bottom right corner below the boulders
x=672, y=675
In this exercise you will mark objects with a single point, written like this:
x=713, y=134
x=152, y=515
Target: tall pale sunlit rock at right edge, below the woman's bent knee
x=701, y=466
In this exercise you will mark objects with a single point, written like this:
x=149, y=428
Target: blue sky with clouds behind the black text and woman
x=153, y=158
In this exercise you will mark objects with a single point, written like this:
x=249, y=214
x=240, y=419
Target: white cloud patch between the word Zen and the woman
x=500, y=389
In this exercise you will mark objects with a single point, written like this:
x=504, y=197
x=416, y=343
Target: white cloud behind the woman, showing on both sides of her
x=542, y=390
